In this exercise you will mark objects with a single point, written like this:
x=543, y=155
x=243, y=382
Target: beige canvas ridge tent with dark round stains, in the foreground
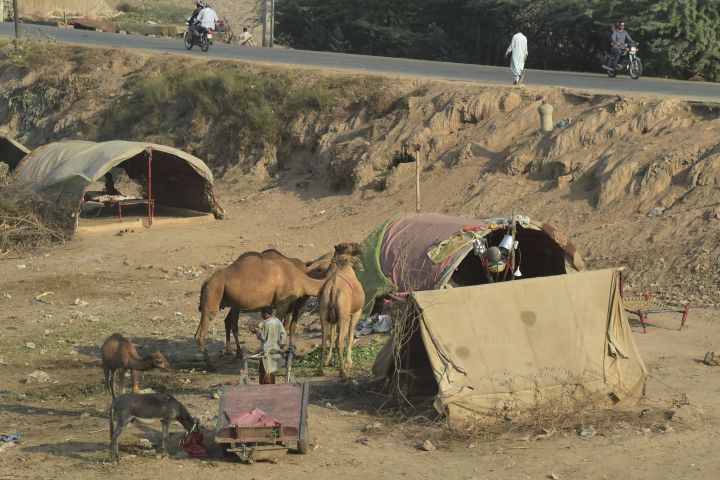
x=509, y=345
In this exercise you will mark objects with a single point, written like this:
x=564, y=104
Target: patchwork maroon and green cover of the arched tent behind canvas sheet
x=420, y=251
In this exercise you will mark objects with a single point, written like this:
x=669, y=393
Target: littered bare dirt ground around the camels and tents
x=145, y=284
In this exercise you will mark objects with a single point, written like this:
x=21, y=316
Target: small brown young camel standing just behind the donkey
x=118, y=354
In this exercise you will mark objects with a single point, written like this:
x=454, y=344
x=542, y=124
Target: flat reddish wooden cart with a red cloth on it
x=287, y=403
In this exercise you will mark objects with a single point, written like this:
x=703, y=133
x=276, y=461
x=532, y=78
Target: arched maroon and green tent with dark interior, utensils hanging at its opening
x=427, y=251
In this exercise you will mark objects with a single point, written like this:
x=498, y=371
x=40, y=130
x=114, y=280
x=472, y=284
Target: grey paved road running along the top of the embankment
x=706, y=92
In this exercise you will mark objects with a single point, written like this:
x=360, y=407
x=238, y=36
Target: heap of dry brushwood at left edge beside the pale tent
x=26, y=221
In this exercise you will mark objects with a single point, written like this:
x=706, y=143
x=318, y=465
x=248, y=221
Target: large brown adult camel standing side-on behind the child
x=250, y=283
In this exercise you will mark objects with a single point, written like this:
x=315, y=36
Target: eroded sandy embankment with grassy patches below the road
x=634, y=180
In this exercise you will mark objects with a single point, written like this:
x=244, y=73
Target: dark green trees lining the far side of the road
x=680, y=38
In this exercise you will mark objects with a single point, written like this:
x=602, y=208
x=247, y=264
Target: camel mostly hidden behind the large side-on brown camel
x=320, y=268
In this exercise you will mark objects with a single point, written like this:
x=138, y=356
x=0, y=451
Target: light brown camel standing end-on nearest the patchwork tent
x=341, y=301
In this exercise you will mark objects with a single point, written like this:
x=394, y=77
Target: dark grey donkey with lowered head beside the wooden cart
x=152, y=406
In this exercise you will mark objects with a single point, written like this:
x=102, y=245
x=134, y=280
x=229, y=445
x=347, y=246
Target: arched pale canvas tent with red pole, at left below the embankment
x=61, y=172
